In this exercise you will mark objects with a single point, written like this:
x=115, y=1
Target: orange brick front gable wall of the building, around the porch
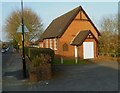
x=72, y=30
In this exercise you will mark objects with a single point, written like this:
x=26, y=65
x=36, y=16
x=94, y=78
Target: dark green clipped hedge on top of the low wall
x=39, y=56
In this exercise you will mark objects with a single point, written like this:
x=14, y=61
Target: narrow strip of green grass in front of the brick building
x=70, y=61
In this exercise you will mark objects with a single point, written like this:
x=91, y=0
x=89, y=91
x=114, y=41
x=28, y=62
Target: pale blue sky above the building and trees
x=48, y=11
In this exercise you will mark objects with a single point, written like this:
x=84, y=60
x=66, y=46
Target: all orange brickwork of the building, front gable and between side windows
x=69, y=34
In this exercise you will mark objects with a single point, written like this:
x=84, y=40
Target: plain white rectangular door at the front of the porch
x=88, y=50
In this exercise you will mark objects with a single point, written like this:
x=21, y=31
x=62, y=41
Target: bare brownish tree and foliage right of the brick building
x=109, y=36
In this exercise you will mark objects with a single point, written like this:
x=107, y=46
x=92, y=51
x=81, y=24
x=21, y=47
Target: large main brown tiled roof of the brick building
x=58, y=26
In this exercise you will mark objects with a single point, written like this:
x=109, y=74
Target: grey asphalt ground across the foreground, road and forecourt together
x=100, y=76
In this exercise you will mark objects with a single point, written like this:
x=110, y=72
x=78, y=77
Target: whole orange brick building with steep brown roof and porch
x=72, y=35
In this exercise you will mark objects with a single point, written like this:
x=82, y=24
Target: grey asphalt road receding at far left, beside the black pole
x=11, y=68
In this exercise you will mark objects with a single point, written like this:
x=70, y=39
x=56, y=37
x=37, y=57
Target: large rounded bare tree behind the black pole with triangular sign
x=31, y=21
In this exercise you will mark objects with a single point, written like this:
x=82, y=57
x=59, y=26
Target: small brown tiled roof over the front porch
x=80, y=37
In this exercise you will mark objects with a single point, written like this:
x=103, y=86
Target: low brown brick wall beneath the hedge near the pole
x=38, y=73
